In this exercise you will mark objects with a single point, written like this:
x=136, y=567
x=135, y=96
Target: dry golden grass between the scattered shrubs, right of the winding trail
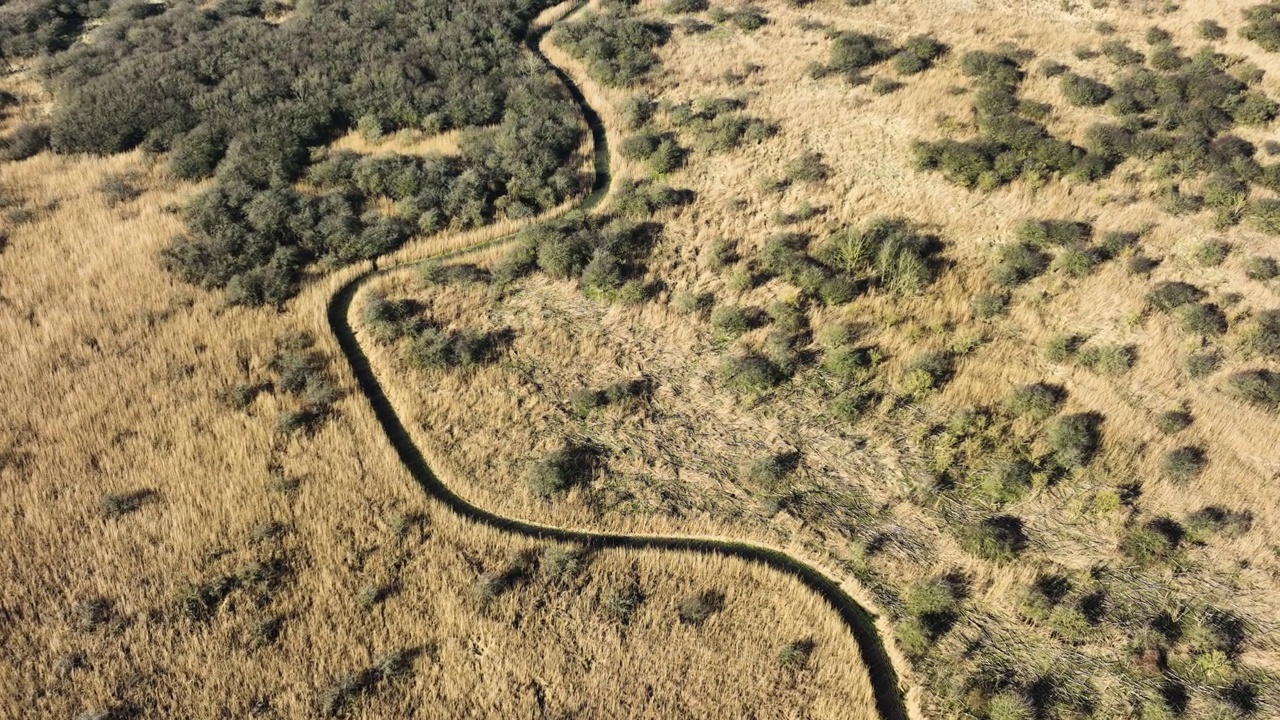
x=675, y=462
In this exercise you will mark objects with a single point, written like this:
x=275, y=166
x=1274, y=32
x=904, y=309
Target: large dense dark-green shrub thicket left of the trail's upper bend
x=234, y=97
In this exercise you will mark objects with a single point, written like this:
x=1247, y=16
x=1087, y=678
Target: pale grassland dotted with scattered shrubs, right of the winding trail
x=1054, y=486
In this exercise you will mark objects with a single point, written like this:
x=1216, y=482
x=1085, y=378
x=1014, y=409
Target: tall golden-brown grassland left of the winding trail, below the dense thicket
x=204, y=522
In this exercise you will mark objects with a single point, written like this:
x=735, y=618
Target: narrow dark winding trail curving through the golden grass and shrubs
x=889, y=695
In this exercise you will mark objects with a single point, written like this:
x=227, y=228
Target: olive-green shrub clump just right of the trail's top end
x=619, y=51
